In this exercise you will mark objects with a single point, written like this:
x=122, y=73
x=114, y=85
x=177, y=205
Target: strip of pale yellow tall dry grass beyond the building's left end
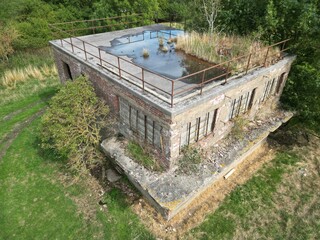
x=12, y=77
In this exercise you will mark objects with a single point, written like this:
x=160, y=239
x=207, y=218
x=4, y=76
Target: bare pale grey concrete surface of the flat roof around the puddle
x=167, y=93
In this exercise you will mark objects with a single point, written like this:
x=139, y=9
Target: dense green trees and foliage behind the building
x=269, y=20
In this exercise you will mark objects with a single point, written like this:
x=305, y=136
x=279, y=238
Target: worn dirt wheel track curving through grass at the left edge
x=11, y=136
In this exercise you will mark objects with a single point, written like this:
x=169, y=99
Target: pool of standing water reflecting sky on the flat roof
x=173, y=64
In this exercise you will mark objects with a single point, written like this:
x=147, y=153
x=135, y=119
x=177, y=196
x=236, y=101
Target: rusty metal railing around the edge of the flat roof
x=171, y=89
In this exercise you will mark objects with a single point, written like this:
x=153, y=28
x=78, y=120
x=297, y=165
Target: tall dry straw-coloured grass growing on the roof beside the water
x=219, y=48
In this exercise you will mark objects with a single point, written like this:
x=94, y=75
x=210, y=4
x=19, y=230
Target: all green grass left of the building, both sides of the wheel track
x=35, y=203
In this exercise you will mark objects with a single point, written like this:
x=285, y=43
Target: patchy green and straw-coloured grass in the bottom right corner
x=258, y=210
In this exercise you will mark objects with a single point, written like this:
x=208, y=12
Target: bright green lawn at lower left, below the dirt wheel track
x=34, y=205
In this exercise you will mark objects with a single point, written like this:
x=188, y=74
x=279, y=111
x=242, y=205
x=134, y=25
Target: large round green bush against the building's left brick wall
x=71, y=126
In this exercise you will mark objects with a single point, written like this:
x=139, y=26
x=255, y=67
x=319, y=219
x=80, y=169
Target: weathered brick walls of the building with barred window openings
x=207, y=117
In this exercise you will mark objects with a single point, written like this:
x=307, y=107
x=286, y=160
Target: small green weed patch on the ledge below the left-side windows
x=142, y=157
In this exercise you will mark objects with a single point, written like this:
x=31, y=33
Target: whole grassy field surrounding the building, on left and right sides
x=39, y=199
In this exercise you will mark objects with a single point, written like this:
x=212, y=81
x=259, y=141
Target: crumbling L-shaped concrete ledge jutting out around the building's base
x=172, y=191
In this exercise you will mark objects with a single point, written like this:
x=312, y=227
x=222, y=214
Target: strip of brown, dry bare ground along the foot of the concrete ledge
x=204, y=204
